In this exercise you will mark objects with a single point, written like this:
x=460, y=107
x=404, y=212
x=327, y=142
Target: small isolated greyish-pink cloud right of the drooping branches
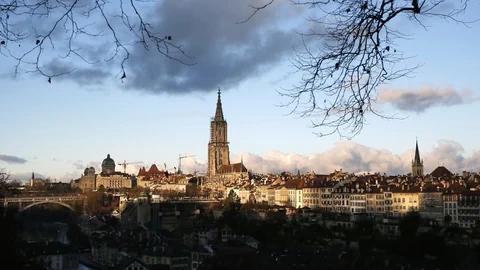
x=422, y=99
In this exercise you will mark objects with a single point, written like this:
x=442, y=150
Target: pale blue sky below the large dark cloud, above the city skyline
x=62, y=127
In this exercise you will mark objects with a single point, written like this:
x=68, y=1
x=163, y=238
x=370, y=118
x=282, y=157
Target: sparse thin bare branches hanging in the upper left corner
x=31, y=31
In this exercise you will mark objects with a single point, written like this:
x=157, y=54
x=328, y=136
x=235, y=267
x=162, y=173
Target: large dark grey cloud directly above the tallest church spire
x=225, y=53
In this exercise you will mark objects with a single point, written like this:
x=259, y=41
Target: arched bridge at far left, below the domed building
x=23, y=203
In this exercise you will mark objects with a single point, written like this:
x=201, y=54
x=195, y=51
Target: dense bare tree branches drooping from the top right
x=343, y=64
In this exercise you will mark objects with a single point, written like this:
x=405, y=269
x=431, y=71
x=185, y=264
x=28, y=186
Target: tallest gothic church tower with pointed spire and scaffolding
x=218, y=150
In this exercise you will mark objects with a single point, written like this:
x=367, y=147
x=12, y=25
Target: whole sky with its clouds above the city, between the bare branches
x=162, y=108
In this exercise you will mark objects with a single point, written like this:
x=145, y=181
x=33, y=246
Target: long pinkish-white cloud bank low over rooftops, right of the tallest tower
x=356, y=158
